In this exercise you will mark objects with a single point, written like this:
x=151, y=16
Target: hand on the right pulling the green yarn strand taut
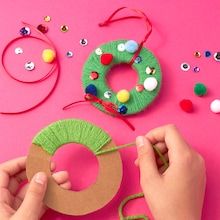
x=178, y=192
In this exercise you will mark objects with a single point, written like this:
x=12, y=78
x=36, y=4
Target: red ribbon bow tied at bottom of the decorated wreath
x=109, y=107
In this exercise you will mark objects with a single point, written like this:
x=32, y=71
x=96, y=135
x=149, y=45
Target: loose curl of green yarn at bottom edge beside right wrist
x=124, y=202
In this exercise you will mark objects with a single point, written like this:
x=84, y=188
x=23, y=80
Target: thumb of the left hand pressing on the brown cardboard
x=31, y=206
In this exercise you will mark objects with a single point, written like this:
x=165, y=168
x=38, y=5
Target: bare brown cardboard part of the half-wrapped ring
x=83, y=202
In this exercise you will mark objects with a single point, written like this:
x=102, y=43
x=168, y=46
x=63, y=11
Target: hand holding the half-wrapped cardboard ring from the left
x=27, y=203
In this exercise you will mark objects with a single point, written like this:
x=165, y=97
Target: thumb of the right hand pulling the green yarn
x=146, y=160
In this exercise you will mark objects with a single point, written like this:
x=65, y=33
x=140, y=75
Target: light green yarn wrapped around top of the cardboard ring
x=71, y=131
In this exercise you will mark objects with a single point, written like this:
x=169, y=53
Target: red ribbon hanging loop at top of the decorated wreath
x=142, y=15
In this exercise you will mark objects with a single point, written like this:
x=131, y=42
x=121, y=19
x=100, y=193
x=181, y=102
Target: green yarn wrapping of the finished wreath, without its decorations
x=138, y=100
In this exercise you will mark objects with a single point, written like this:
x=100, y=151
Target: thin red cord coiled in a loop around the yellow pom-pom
x=55, y=67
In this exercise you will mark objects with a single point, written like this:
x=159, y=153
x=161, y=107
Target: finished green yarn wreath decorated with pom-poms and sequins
x=103, y=58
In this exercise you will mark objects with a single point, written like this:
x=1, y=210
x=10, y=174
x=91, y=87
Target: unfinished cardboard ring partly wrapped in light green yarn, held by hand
x=108, y=181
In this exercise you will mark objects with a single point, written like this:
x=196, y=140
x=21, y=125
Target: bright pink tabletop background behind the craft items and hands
x=180, y=28
